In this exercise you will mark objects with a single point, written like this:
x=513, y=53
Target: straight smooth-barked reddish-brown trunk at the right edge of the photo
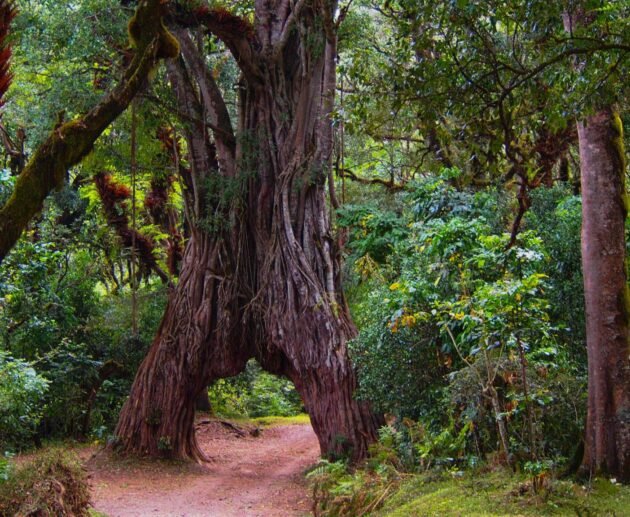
x=602, y=164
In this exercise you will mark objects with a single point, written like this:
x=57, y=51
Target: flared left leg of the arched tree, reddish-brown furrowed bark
x=188, y=353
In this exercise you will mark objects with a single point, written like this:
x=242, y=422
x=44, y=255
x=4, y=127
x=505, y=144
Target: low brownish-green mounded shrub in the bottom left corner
x=53, y=484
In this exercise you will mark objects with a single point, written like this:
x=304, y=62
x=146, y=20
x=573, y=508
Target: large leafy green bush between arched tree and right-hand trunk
x=456, y=310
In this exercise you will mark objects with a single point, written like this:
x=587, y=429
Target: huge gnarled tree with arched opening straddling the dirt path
x=260, y=276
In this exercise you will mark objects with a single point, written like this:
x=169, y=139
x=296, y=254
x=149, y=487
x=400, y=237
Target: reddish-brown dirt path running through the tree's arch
x=248, y=476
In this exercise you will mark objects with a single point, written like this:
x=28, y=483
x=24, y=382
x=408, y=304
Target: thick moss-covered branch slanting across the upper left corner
x=70, y=142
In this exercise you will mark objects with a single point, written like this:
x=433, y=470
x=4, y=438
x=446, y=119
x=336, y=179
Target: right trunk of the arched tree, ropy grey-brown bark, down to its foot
x=301, y=303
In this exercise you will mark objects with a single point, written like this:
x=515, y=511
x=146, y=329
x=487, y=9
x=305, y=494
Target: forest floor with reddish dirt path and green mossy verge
x=257, y=468
